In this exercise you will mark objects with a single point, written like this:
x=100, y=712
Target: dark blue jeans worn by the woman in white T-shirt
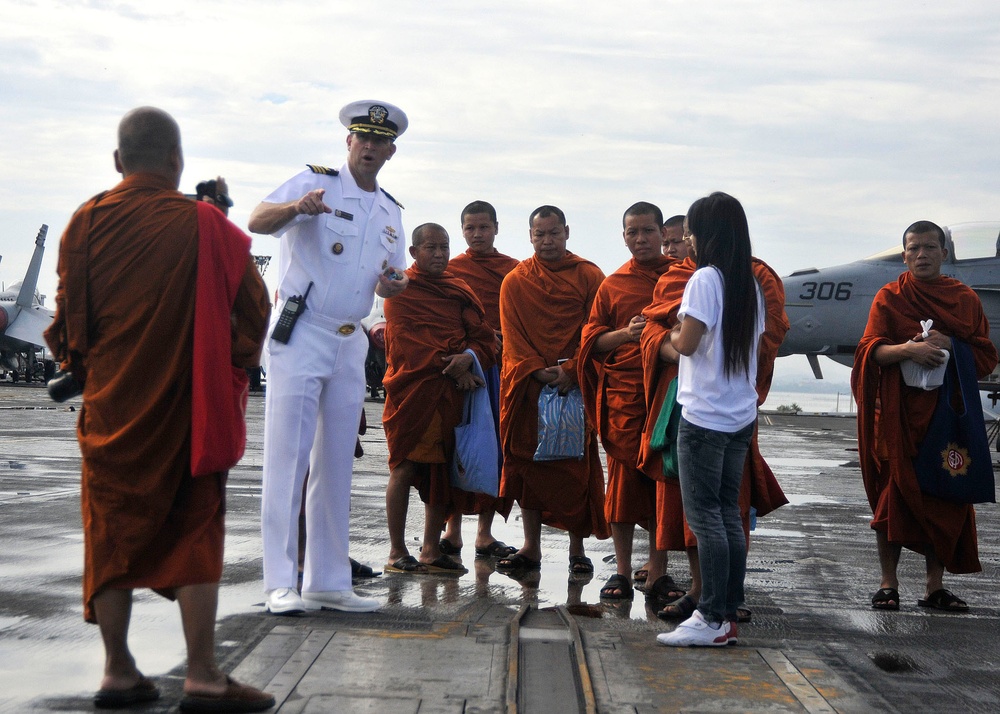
x=711, y=470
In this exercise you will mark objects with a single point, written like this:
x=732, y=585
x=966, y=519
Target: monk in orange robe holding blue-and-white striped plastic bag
x=544, y=303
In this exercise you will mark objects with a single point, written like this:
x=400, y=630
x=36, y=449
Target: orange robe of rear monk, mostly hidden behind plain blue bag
x=484, y=274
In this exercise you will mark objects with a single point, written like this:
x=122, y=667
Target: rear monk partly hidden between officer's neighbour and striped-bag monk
x=483, y=267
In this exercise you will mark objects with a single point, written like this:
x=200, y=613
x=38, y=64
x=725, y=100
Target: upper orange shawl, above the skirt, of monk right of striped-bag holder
x=612, y=382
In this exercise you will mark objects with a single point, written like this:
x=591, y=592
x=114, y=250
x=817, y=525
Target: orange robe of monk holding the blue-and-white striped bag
x=543, y=307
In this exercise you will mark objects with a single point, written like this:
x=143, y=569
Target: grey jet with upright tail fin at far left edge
x=23, y=320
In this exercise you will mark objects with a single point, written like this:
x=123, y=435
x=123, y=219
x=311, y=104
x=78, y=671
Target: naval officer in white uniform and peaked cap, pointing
x=342, y=242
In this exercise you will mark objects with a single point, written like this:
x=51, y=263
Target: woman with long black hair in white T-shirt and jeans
x=719, y=325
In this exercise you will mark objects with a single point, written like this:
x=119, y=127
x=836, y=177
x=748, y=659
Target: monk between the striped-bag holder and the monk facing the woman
x=611, y=380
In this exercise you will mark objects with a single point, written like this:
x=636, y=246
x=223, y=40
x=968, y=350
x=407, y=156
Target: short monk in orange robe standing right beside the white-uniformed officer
x=429, y=327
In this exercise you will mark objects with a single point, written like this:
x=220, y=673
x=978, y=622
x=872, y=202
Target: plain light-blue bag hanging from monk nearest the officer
x=475, y=466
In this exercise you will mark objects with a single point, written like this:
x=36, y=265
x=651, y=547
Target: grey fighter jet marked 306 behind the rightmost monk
x=828, y=308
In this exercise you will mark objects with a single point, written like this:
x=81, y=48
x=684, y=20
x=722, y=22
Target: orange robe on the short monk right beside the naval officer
x=434, y=317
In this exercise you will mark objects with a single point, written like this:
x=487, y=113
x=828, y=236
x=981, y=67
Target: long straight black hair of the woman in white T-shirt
x=722, y=240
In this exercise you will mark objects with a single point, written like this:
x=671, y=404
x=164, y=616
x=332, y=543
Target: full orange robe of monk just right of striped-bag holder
x=613, y=390
